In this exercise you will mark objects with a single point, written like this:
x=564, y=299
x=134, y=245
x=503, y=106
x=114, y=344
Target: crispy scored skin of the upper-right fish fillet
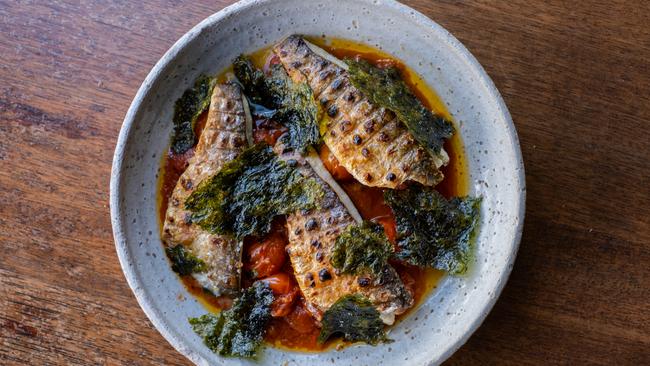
x=369, y=141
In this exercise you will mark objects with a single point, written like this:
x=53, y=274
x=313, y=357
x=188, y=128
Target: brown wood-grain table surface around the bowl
x=575, y=75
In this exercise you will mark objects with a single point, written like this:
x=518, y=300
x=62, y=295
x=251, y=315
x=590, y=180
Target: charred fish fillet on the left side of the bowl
x=222, y=139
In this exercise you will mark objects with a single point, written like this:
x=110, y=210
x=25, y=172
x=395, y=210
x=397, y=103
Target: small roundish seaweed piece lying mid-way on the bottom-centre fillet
x=362, y=248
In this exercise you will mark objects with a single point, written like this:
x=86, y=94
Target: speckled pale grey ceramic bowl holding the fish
x=459, y=305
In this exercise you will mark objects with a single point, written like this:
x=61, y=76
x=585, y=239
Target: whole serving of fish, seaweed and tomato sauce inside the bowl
x=313, y=194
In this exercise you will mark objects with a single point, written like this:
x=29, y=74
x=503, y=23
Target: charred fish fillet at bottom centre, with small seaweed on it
x=312, y=234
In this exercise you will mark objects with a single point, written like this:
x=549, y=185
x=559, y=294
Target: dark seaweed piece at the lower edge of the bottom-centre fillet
x=355, y=319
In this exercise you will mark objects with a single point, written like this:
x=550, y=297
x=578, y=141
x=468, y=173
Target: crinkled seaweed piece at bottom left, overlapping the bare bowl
x=238, y=331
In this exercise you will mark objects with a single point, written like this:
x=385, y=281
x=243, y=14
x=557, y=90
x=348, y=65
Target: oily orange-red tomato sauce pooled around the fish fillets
x=265, y=259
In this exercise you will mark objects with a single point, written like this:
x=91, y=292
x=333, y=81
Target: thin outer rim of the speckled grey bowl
x=128, y=123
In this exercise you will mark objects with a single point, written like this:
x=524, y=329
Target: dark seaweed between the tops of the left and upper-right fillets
x=293, y=104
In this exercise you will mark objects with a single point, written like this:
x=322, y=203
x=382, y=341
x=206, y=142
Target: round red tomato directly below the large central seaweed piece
x=268, y=256
